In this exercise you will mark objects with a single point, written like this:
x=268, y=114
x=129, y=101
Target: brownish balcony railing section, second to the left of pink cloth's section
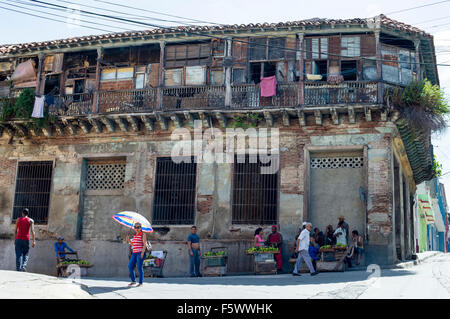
x=128, y=101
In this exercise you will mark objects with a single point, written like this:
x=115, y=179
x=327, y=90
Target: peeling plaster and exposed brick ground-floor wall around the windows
x=213, y=204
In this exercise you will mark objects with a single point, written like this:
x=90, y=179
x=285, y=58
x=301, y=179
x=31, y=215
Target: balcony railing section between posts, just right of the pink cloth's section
x=322, y=93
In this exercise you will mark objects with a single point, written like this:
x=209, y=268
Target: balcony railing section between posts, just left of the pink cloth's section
x=193, y=97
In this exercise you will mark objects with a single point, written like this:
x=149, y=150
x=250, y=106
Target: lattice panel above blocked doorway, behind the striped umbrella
x=106, y=174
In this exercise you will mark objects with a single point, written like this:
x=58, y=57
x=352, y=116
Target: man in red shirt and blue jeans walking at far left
x=22, y=235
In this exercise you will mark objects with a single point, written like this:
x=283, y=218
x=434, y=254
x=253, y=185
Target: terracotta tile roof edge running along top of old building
x=315, y=22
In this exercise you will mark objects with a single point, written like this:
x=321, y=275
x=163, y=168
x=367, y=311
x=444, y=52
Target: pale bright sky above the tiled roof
x=434, y=19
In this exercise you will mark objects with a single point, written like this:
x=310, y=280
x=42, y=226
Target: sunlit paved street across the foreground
x=428, y=280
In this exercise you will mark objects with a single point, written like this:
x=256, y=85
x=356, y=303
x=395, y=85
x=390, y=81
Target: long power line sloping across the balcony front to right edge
x=214, y=37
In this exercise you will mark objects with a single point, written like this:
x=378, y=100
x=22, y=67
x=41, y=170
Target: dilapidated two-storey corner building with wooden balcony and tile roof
x=116, y=99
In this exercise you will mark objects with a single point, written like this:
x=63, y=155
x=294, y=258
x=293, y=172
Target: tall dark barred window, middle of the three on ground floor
x=174, y=196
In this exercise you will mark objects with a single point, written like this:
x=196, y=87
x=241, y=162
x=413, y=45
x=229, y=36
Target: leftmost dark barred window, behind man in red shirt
x=33, y=185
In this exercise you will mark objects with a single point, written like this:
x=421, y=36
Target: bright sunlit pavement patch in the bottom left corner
x=15, y=284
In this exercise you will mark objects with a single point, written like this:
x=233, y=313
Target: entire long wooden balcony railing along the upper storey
x=243, y=96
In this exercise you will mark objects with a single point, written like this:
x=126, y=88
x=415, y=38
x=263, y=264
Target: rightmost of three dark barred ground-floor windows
x=255, y=195
